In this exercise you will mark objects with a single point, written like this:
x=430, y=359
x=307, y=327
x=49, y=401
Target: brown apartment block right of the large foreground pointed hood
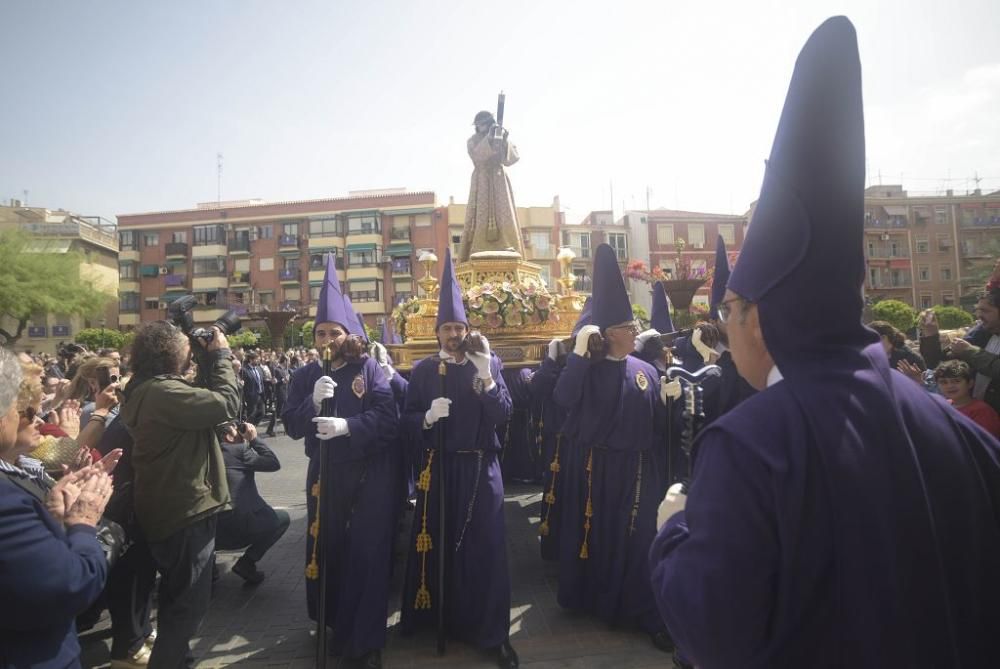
x=927, y=250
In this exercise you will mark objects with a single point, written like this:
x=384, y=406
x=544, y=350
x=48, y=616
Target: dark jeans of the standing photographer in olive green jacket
x=184, y=560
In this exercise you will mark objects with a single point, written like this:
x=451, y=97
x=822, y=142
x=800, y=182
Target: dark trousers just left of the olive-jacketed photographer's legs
x=130, y=599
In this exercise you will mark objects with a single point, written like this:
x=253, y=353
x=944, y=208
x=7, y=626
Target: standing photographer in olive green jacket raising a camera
x=179, y=473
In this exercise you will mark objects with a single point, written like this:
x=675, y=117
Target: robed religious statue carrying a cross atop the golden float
x=490, y=218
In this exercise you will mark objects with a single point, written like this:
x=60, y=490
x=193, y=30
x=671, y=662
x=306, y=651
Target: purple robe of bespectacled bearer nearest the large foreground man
x=615, y=424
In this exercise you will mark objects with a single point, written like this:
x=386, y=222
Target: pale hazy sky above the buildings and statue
x=112, y=107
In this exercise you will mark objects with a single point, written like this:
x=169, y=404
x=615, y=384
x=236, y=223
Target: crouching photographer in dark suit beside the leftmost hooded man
x=252, y=524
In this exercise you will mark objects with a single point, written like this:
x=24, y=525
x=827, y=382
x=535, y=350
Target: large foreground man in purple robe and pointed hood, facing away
x=841, y=517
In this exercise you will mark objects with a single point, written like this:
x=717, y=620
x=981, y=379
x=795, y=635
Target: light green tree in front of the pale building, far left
x=41, y=283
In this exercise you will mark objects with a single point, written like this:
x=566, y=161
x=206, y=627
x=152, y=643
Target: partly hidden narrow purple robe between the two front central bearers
x=552, y=416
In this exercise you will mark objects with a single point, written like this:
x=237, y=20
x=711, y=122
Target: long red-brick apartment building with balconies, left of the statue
x=251, y=255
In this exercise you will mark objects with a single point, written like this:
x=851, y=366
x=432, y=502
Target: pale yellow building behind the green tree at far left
x=60, y=231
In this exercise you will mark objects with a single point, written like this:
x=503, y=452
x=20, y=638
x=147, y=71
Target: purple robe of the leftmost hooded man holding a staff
x=360, y=499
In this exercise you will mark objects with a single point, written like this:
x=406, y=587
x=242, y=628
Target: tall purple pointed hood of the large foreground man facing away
x=802, y=260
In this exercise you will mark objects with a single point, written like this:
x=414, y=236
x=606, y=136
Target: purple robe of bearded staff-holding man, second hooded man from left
x=477, y=594
